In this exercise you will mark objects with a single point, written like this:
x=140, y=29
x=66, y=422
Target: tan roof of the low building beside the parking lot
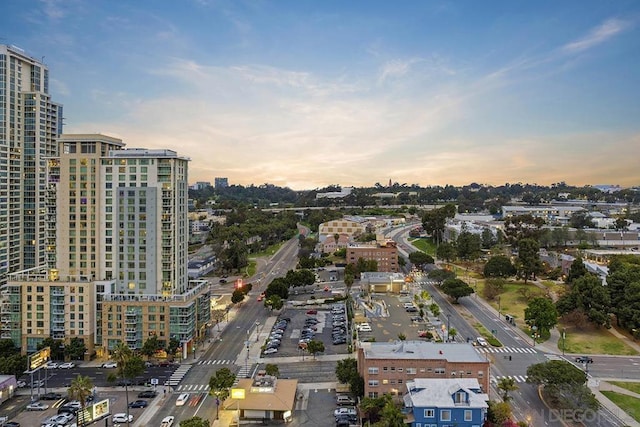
x=283, y=398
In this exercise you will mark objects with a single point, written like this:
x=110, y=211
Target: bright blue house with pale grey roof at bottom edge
x=435, y=402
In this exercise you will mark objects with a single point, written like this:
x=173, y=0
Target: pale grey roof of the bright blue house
x=437, y=392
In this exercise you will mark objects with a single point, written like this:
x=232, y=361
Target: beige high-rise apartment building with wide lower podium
x=117, y=252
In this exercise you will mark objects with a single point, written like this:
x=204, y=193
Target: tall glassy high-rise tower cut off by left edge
x=29, y=125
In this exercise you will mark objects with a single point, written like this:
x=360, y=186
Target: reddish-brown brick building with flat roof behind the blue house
x=386, y=367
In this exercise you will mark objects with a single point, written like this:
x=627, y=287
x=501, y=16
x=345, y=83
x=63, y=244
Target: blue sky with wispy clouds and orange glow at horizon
x=305, y=94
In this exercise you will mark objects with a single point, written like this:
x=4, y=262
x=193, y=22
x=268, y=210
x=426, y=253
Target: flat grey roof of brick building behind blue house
x=451, y=352
